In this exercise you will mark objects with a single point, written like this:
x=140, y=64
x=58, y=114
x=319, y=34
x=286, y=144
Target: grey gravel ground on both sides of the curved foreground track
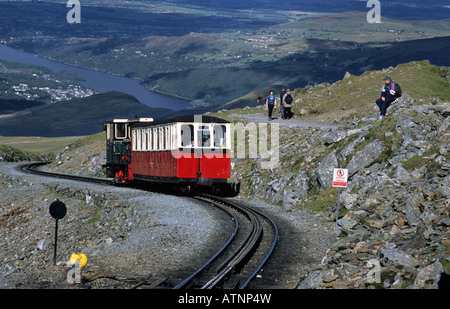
x=132, y=233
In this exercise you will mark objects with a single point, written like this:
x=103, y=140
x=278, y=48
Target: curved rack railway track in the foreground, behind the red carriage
x=242, y=257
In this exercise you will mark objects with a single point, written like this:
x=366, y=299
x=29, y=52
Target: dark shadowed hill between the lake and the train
x=76, y=117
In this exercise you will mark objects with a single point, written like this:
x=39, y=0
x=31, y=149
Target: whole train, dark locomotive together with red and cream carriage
x=186, y=153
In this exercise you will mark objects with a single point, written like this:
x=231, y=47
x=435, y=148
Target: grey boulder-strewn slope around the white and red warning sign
x=395, y=211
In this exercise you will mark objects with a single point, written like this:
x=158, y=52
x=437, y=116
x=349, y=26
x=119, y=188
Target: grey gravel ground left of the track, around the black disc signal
x=121, y=230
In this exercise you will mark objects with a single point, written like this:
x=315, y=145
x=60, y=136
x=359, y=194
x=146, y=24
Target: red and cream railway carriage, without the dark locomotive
x=188, y=150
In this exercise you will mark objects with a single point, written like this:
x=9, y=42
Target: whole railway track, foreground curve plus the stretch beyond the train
x=238, y=262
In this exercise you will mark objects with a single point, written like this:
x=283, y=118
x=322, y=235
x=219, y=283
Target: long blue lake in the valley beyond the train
x=97, y=80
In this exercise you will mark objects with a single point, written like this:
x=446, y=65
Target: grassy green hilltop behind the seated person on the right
x=356, y=95
